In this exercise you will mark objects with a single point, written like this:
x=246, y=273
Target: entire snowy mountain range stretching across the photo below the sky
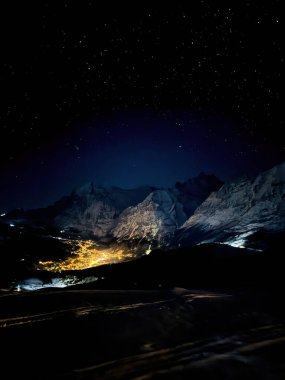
x=198, y=210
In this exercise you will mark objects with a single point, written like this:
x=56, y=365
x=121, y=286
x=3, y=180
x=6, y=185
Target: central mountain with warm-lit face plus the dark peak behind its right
x=155, y=220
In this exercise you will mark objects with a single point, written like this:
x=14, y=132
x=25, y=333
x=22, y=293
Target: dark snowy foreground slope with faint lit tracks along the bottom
x=168, y=334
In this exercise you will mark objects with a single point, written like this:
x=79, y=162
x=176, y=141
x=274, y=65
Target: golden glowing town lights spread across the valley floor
x=85, y=254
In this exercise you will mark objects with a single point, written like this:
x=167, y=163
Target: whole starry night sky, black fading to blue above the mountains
x=140, y=94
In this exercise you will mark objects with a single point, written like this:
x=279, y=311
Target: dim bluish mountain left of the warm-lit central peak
x=89, y=211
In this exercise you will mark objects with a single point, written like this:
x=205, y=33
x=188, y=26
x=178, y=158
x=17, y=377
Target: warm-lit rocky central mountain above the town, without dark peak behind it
x=153, y=220
